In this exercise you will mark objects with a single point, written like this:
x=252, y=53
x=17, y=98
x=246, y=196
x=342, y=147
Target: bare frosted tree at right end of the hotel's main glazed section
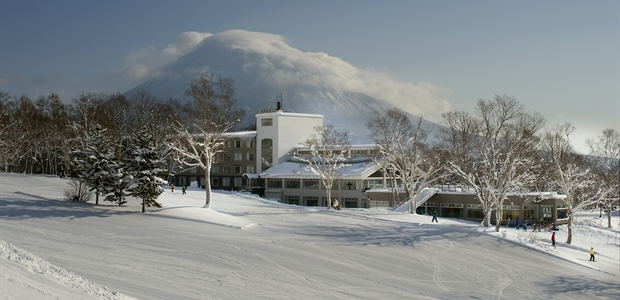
x=401, y=145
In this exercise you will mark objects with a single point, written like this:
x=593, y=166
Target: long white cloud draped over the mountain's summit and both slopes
x=277, y=62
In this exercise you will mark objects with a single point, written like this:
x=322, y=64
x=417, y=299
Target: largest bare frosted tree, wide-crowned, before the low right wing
x=492, y=150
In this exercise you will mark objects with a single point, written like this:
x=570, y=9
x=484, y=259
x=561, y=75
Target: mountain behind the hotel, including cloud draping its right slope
x=267, y=70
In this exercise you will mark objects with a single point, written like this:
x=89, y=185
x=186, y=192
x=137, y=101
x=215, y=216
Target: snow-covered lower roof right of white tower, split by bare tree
x=359, y=170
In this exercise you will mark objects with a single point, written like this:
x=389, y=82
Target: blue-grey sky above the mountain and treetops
x=560, y=58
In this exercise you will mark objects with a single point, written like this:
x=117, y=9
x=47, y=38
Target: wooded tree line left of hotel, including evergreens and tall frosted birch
x=117, y=146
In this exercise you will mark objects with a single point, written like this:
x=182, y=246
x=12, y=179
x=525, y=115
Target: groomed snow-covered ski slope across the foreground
x=244, y=247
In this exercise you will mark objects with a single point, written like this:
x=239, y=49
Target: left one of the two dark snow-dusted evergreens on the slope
x=95, y=162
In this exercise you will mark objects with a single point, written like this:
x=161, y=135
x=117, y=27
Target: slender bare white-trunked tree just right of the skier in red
x=572, y=173
